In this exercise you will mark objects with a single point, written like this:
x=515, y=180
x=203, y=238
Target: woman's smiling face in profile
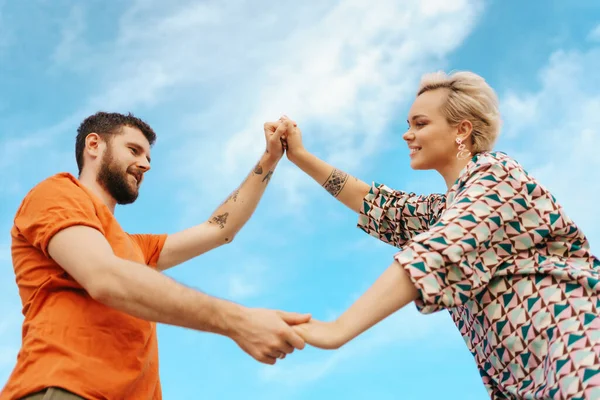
x=431, y=140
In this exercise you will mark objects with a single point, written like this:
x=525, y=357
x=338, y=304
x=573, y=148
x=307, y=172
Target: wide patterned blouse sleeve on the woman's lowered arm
x=456, y=259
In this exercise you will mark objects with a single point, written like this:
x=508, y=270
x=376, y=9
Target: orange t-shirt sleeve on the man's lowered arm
x=50, y=207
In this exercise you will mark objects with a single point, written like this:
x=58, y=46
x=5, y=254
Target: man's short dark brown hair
x=106, y=125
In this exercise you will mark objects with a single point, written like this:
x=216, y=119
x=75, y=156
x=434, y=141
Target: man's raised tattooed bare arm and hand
x=227, y=220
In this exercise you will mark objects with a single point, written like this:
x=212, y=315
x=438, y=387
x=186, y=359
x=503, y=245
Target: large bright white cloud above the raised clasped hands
x=347, y=71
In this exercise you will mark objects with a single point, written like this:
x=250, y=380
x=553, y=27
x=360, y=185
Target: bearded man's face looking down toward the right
x=123, y=164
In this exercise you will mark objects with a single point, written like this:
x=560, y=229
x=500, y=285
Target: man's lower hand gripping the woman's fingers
x=267, y=335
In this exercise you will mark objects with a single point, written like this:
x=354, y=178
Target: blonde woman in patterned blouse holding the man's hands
x=497, y=251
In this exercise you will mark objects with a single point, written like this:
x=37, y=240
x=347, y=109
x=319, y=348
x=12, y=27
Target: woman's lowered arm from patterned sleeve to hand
x=453, y=261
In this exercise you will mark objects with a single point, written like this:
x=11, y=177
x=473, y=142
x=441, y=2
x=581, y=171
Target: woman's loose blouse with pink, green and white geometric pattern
x=515, y=273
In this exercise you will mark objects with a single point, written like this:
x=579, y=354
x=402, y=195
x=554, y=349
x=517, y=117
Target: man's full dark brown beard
x=116, y=180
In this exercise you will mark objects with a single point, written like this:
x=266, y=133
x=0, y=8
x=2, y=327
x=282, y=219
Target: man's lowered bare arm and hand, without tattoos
x=147, y=294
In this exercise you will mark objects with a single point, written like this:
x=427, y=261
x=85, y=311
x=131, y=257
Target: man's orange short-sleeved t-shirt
x=70, y=340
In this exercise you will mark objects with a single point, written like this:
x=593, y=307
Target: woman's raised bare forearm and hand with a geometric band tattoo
x=349, y=190
